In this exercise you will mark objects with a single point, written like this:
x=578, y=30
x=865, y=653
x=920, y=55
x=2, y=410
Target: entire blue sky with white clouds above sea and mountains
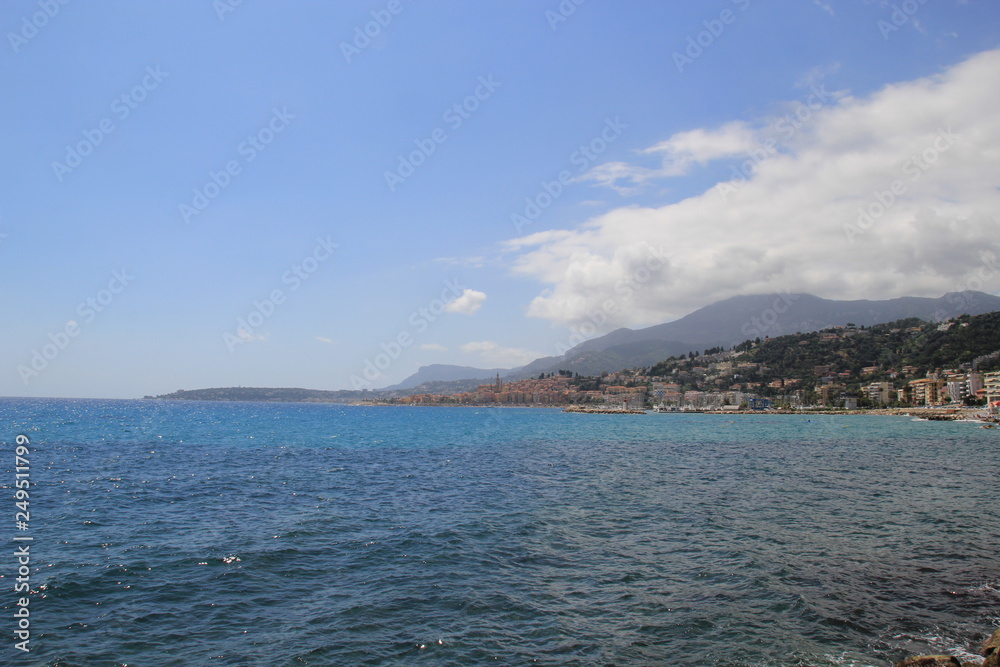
x=259, y=194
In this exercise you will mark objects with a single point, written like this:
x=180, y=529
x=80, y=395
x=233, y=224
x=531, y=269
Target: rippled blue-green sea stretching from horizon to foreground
x=194, y=533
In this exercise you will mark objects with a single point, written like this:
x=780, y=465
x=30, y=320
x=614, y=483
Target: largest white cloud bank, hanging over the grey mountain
x=788, y=225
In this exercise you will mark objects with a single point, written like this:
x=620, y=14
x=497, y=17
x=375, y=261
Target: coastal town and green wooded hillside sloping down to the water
x=903, y=364
